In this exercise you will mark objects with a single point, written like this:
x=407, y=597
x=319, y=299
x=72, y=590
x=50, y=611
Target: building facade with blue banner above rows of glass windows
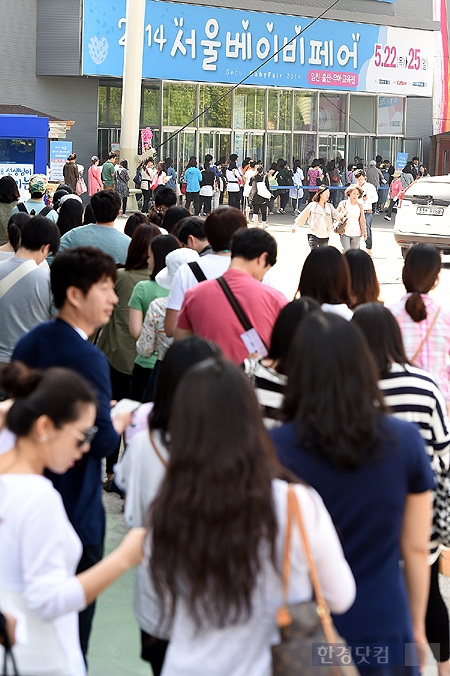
x=358, y=81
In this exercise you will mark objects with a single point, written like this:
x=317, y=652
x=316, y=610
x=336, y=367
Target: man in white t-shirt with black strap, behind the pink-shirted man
x=220, y=227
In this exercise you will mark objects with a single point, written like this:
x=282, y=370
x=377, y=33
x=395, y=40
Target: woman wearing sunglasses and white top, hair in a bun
x=52, y=417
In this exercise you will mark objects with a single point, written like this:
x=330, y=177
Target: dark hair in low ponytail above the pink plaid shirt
x=420, y=272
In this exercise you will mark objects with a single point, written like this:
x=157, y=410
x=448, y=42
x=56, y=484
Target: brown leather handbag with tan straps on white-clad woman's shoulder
x=306, y=623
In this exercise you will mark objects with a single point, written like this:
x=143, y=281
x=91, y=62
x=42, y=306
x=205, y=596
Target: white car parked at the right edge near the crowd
x=423, y=214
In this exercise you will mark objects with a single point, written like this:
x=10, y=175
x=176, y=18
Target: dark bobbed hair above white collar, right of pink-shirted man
x=325, y=276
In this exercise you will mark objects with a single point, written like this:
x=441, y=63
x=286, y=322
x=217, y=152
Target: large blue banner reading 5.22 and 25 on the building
x=209, y=44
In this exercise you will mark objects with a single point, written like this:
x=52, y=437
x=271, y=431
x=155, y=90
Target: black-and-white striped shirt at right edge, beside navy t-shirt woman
x=414, y=396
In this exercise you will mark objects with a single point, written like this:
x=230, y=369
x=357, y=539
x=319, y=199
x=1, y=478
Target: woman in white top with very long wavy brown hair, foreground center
x=217, y=530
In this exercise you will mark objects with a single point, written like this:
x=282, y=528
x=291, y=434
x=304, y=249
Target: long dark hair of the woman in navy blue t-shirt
x=332, y=394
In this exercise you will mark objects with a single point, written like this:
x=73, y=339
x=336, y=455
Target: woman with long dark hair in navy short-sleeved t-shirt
x=374, y=477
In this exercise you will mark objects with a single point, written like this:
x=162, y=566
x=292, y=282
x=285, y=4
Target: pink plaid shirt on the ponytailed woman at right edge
x=434, y=354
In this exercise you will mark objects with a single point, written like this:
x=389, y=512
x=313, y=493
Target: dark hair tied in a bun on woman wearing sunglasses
x=55, y=392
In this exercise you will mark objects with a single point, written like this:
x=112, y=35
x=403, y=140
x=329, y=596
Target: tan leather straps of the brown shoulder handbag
x=323, y=611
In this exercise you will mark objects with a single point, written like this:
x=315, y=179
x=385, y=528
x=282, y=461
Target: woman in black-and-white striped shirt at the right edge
x=413, y=395
